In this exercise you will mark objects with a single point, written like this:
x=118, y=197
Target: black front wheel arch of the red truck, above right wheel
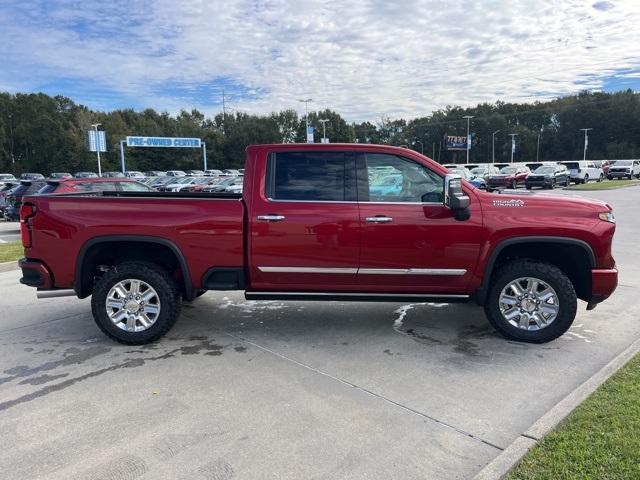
x=573, y=256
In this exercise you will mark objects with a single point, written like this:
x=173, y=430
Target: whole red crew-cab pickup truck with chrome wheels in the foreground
x=324, y=222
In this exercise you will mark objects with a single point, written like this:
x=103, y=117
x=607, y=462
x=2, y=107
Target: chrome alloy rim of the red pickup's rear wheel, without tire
x=133, y=305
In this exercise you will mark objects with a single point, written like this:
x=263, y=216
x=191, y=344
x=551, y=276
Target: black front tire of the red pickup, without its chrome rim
x=549, y=274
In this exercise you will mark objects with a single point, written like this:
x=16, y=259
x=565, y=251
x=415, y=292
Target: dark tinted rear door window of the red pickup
x=307, y=176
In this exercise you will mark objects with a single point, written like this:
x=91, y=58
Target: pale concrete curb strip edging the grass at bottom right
x=511, y=456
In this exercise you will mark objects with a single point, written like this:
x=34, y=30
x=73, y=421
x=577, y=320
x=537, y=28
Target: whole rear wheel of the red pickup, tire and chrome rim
x=135, y=303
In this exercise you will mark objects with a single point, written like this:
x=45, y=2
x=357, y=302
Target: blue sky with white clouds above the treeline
x=364, y=59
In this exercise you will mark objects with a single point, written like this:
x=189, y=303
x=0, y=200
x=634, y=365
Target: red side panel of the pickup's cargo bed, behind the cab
x=206, y=228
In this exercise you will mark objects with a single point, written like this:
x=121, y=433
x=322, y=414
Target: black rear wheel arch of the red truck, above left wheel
x=90, y=251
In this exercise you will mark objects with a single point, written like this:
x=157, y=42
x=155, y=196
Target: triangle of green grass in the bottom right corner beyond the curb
x=598, y=440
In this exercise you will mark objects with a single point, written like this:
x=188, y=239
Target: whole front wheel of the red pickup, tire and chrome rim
x=531, y=301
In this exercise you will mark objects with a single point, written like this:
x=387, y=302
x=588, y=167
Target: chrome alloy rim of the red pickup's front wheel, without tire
x=529, y=303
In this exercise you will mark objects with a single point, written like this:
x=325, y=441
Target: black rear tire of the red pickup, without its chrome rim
x=168, y=295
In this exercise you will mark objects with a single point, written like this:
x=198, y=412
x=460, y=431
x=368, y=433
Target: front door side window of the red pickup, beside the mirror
x=395, y=179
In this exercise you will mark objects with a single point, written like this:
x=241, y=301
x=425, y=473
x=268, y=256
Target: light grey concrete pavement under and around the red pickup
x=290, y=390
